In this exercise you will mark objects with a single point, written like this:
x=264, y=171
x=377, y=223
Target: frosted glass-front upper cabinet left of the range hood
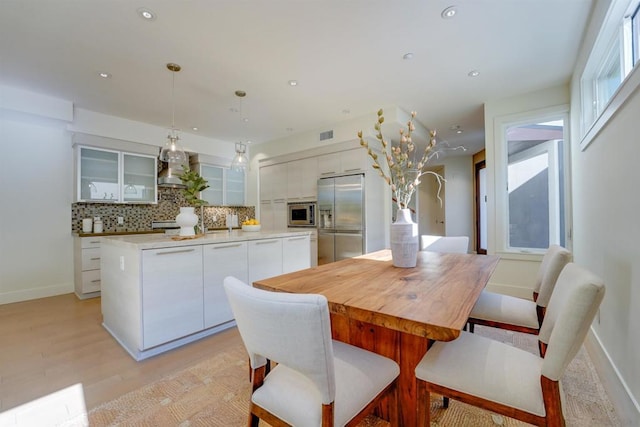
x=113, y=176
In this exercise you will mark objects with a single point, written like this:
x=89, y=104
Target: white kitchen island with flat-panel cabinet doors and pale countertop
x=159, y=293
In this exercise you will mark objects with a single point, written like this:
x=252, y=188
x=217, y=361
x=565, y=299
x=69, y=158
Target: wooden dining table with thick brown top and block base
x=395, y=312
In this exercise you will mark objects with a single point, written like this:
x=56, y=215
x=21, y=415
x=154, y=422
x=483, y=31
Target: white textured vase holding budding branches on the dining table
x=404, y=240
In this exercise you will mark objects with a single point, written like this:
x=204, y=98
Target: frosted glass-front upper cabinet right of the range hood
x=226, y=187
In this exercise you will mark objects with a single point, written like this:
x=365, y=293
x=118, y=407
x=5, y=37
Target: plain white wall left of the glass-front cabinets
x=35, y=213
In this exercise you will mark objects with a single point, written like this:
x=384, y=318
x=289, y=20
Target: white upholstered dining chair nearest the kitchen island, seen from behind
x=317, y=381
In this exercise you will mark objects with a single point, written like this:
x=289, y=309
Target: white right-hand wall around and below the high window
x=606, y=236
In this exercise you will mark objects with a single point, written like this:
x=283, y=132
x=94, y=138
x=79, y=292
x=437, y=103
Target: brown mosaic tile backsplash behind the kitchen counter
x=139, y=217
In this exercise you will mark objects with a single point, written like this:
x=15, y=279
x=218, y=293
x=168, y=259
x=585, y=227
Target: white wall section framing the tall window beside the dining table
x=515, y=274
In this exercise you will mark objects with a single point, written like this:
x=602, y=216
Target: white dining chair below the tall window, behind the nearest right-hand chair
x=519, y=314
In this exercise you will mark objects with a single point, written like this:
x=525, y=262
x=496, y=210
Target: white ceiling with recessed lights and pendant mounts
x=346, y=56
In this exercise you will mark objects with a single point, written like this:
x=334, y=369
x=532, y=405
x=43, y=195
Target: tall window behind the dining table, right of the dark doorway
x=531, y=212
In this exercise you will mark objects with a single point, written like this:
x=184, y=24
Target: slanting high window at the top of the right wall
x=612, y=60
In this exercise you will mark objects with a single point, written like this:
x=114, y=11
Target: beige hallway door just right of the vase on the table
x=431, y=211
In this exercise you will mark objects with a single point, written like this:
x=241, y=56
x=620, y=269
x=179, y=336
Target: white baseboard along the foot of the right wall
x=627, y=408
